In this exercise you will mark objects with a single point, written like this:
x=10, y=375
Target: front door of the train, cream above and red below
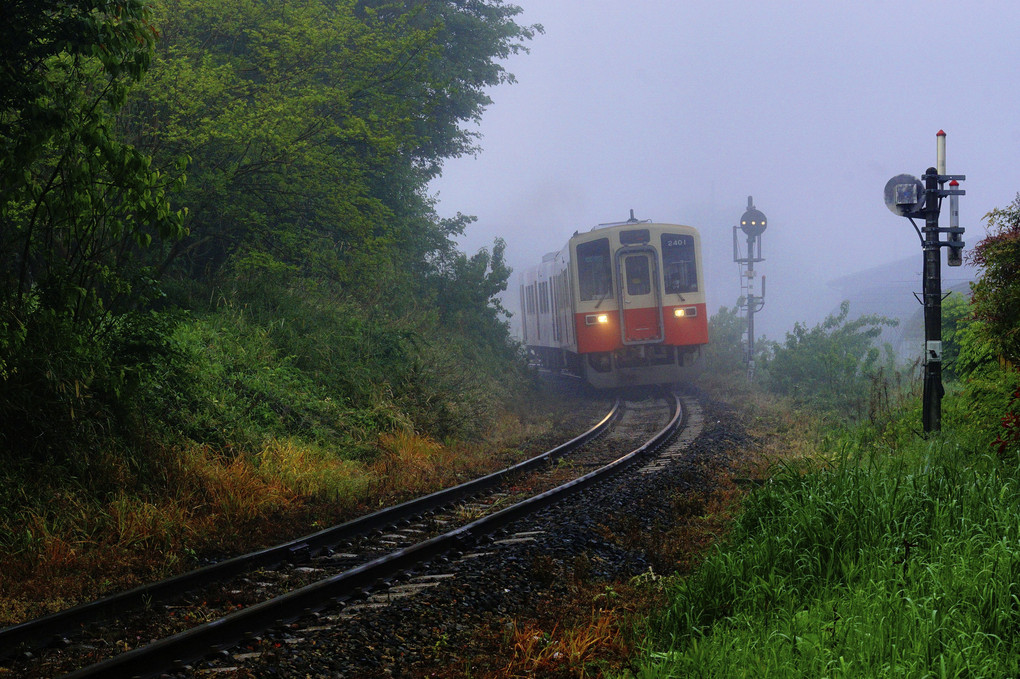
x=641, y=308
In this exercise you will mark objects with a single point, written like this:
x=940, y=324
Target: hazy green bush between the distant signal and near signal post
x=833, y=365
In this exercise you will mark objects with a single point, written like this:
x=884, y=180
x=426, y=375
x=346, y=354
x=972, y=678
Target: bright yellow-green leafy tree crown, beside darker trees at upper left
x=262, y=100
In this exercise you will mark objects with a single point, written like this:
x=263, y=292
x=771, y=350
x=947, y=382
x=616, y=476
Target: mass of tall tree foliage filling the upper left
x=308, y=131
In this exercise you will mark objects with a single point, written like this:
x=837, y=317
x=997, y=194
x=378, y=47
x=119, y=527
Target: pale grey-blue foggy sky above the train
x=682, y=110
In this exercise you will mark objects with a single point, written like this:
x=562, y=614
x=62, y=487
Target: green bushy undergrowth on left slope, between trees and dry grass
x=290, y=357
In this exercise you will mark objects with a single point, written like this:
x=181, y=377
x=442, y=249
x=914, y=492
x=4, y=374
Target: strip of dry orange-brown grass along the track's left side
x=208, y=503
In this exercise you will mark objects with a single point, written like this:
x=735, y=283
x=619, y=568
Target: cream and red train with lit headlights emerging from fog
x=622, y=305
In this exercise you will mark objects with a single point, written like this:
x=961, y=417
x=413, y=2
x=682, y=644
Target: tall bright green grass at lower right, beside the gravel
x=866, y=564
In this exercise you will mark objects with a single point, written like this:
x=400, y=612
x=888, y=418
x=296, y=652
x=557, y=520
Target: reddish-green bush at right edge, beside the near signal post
x=997, y=293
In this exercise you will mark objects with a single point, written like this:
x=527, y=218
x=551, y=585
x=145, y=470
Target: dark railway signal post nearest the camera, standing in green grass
x=907, y=197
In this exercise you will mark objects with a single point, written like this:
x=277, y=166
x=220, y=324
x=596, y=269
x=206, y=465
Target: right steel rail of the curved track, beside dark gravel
x=175, y=652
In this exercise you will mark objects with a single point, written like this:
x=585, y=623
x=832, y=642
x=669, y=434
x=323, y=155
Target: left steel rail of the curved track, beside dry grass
x=39, y=633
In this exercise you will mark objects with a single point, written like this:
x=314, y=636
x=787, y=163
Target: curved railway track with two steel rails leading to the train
x=344, y=564
